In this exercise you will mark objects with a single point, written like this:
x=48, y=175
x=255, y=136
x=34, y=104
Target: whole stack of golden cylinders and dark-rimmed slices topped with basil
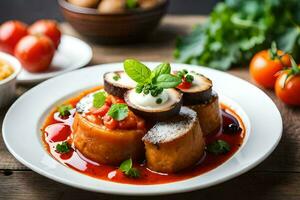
x=179, y=109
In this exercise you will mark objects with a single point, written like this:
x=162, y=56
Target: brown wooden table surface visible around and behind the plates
x=278, y=177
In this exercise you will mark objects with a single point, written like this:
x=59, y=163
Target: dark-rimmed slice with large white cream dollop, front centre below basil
x=154, y=111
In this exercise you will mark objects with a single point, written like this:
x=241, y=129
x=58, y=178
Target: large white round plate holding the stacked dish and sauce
x=23, y=139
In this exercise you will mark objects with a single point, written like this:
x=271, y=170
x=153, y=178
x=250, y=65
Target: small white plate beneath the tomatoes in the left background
x=72, y=54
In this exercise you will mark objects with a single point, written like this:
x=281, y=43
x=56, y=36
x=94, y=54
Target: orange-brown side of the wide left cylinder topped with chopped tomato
x=106, y=146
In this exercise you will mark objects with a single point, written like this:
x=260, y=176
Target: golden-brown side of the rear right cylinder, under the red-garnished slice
x=209, y=115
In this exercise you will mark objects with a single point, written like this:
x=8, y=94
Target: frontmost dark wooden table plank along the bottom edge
x=253, y=185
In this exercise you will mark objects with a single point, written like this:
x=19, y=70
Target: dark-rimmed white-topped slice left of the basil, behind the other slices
x=117, y=83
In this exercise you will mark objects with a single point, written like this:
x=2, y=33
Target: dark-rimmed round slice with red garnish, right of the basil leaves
x=199, y=92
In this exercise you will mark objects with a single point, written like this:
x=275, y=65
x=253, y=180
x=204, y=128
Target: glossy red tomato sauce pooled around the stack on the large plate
x=56, y=131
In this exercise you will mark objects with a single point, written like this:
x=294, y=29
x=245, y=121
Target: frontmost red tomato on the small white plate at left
x=35, y=52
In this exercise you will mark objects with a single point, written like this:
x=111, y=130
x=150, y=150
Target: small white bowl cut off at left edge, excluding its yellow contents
x=8, y=85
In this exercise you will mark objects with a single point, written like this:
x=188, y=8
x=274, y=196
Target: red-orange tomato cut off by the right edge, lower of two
x=288, y=90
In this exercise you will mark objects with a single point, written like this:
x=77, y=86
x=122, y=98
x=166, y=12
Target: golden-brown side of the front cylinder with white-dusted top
x=179, y=153
